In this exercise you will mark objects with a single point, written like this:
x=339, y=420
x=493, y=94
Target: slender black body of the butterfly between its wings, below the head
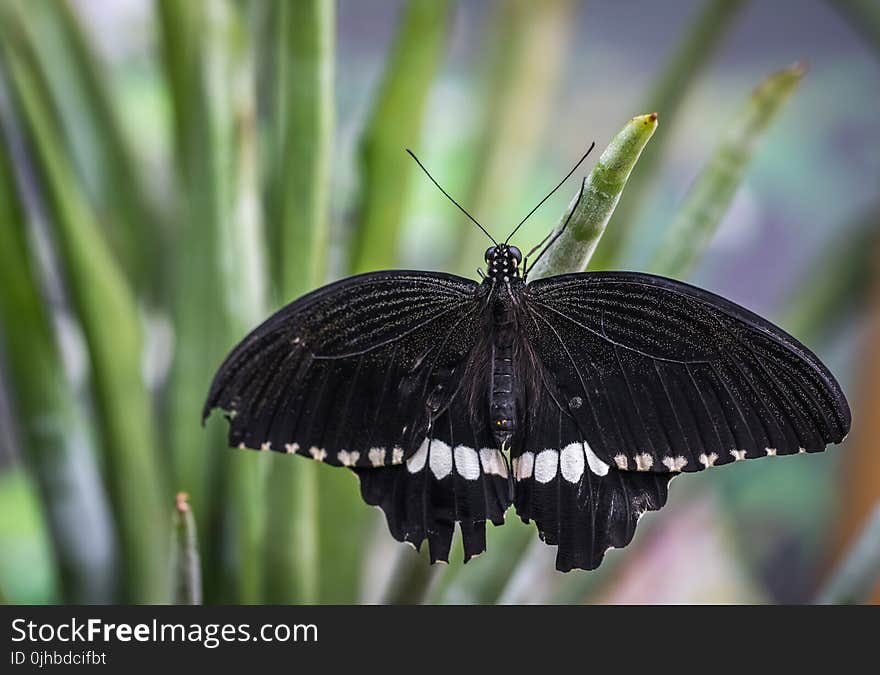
x=503, y=405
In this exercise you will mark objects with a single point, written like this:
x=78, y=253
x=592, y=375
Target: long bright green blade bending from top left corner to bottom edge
x=110, y=323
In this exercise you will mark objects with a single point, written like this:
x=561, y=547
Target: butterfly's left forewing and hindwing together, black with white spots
x=369, y=373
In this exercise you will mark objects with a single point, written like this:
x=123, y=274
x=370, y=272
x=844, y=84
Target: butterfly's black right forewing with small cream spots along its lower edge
x=661, y=376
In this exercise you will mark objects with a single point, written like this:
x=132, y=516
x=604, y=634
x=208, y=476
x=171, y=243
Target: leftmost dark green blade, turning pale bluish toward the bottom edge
x=53, y=433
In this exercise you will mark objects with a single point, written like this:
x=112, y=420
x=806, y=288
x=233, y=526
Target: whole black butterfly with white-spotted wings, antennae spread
x=575, y=398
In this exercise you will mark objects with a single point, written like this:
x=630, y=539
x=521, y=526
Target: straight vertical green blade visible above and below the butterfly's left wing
x=305, y=91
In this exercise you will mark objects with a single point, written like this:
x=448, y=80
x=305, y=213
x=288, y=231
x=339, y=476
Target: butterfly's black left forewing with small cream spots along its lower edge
x=350, y=374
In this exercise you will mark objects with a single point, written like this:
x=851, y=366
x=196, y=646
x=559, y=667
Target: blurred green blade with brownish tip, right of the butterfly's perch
x=709, y=198
